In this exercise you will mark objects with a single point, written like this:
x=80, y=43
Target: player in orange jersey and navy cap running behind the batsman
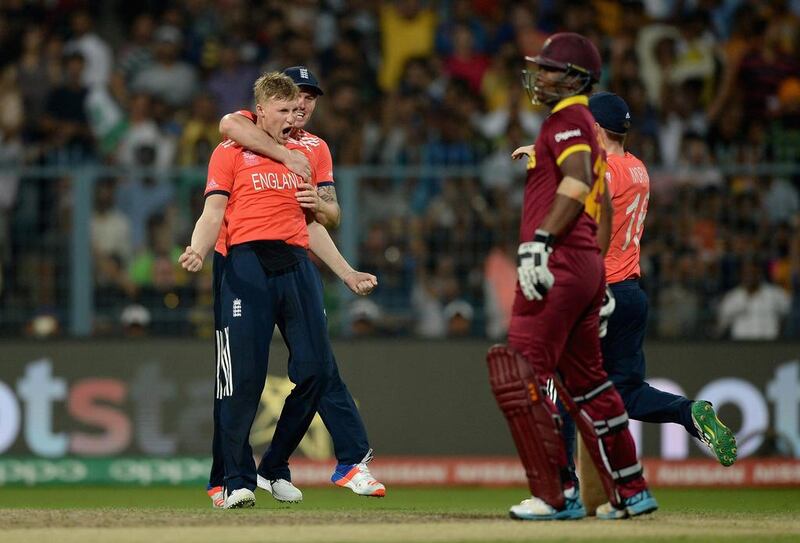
x=623, y=356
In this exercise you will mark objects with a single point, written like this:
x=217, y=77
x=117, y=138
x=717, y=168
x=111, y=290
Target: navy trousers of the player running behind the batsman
x=623, y=360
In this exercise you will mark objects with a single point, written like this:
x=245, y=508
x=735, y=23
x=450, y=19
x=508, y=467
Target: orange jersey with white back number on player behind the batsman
x=629, y=187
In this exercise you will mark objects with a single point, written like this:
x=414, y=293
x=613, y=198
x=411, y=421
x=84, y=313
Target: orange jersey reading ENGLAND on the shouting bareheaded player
x=261, y=196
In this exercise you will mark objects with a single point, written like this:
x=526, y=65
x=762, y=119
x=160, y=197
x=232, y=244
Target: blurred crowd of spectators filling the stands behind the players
x=713, y=86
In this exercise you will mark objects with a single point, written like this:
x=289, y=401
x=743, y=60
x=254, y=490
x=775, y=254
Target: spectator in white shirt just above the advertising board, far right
x=754, y=309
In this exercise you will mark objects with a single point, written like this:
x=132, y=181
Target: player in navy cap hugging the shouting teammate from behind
x=337, y=407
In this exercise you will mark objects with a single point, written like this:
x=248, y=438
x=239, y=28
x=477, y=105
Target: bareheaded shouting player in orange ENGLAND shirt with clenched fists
x=266, y=280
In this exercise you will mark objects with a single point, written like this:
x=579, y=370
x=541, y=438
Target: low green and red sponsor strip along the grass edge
x=395, y=471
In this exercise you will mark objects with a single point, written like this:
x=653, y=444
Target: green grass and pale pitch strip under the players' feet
x=179, y=514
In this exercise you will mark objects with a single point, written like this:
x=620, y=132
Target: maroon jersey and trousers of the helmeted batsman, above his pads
x=539, y=329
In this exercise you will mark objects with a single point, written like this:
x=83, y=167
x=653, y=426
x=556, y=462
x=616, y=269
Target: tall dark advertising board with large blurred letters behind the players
x=153, y=398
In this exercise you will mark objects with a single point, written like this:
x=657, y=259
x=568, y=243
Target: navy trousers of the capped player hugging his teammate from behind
x=336, y=407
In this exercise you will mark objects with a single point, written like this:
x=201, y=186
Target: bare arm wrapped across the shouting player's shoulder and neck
x=244, y=132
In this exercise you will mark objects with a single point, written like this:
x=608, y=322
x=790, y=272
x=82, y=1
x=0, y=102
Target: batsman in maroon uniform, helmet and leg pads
x=555, y=317
